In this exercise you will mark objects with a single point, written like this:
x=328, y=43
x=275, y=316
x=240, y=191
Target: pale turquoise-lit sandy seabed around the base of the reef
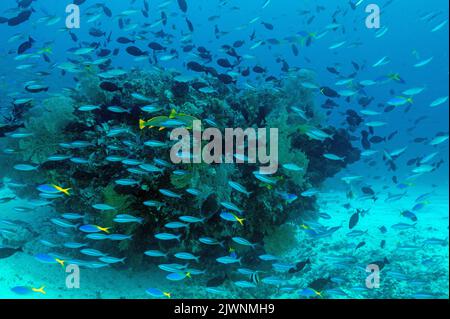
x=23, y=270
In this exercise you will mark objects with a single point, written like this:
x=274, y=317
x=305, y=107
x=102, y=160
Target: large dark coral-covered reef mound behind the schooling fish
x=266, y=212
